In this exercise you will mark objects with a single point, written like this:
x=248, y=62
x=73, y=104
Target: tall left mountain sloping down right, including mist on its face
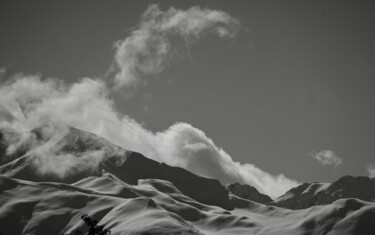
x=89, y=155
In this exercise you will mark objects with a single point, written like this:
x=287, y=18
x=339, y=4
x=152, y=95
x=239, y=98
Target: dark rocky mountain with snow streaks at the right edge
x=311, y=194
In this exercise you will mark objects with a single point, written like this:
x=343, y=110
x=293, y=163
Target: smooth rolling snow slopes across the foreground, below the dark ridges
x=157, y=207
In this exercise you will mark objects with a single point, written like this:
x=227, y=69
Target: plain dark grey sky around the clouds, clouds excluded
x=298, y=79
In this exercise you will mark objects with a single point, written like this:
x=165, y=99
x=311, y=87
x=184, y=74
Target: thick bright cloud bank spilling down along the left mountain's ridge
x=29, y=102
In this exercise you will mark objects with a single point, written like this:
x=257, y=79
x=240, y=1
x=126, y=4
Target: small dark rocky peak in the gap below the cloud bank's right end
x=248, y=192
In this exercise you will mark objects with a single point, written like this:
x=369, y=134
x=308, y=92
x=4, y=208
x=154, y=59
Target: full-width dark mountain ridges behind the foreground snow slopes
x=57, y=137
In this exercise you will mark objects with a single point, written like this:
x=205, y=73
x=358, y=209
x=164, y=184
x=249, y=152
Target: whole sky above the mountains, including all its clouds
x=285, y=87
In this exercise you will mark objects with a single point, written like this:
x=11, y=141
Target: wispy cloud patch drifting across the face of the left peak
x=65, y=151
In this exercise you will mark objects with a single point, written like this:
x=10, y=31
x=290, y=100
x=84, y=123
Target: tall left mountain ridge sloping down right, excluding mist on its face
x=128, y=166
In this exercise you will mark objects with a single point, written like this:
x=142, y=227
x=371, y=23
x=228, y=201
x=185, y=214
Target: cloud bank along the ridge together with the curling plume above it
x=28, y=101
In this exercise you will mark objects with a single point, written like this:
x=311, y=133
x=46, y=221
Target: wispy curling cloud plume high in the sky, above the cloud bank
x=157, y=39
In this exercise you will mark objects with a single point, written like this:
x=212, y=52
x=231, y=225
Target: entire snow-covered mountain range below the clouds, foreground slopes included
x=54, y=174
